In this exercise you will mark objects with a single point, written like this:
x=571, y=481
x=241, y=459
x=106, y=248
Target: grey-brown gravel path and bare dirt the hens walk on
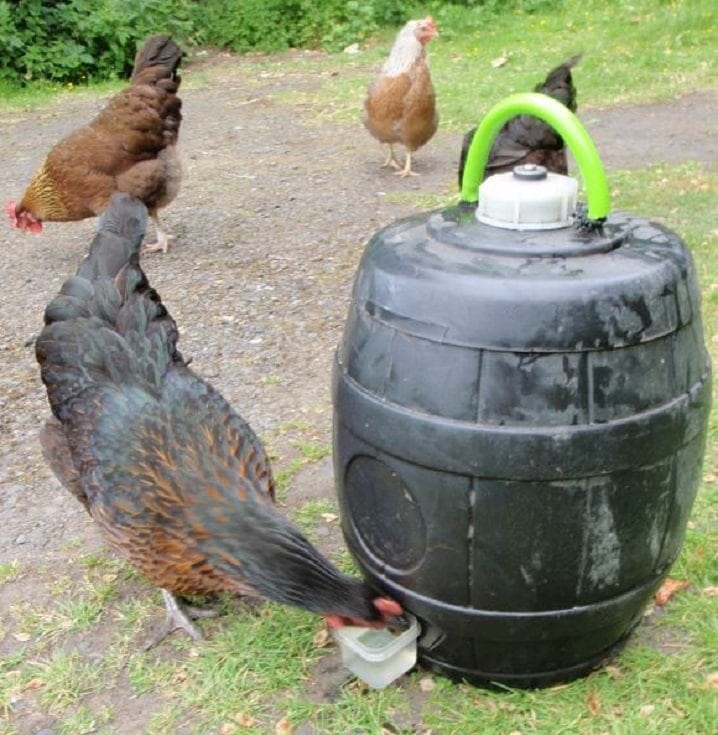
x=270, y=223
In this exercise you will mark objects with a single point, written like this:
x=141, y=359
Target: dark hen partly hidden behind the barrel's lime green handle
x=526, y=139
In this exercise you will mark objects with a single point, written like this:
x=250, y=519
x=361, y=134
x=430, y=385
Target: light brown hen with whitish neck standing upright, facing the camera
x=400, y=105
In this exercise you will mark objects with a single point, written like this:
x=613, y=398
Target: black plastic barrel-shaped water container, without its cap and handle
x=519, y=427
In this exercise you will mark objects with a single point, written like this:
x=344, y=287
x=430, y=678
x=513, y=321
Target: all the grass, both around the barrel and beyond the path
x=257, y=672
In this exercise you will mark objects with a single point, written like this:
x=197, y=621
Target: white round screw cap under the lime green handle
x=527, y=198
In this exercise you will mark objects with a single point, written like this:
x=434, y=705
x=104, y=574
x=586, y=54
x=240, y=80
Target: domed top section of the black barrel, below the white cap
x=446, y=277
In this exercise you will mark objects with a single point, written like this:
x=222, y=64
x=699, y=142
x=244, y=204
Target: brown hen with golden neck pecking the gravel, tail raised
x=131, y=146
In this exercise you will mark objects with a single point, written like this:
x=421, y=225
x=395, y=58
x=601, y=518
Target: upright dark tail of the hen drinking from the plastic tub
x=97, y=329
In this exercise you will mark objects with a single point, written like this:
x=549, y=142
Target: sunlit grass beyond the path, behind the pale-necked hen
x=645, y=50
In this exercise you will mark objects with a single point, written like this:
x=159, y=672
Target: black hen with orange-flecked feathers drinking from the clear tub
x=177, y=480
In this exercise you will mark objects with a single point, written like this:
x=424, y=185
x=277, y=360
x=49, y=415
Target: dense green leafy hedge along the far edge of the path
x=78, y=41
